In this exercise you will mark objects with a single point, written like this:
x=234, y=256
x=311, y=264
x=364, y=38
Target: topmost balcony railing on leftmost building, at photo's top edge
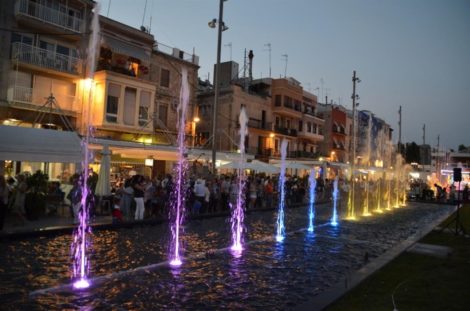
x=48, y=15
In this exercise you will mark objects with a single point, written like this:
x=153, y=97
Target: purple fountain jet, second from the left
x=178, y=194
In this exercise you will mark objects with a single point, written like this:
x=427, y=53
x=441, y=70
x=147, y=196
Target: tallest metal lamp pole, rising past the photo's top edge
x=216, y=87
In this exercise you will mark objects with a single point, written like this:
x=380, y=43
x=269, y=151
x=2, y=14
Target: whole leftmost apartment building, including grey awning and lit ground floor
x=41, y=78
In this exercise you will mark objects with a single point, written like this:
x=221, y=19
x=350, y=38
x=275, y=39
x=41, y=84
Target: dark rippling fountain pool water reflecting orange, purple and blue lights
x=267, y=275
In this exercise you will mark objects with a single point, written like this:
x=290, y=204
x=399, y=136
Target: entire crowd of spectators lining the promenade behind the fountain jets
x=141, y=197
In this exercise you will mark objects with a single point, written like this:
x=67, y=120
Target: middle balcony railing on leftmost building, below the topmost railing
x=33, y=55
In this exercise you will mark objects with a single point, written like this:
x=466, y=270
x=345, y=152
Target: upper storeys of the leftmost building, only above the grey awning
x=42, y=56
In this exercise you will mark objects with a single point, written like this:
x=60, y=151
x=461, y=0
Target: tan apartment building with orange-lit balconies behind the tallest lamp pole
x=277, y=109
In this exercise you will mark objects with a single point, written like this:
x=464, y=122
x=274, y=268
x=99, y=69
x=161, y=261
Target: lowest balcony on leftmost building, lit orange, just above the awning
x=32, y=99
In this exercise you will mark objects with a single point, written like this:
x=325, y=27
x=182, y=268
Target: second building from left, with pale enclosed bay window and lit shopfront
x=136, y=94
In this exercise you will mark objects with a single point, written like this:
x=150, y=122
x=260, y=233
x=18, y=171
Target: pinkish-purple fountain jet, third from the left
x=237, y=211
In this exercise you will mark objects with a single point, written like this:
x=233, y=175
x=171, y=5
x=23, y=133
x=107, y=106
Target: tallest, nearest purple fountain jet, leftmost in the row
x=82, y=235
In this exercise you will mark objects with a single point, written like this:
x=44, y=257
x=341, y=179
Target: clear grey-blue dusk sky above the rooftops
x=413, y=53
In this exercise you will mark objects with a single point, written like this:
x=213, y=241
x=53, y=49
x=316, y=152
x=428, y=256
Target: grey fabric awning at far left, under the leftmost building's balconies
x=39, y=145
